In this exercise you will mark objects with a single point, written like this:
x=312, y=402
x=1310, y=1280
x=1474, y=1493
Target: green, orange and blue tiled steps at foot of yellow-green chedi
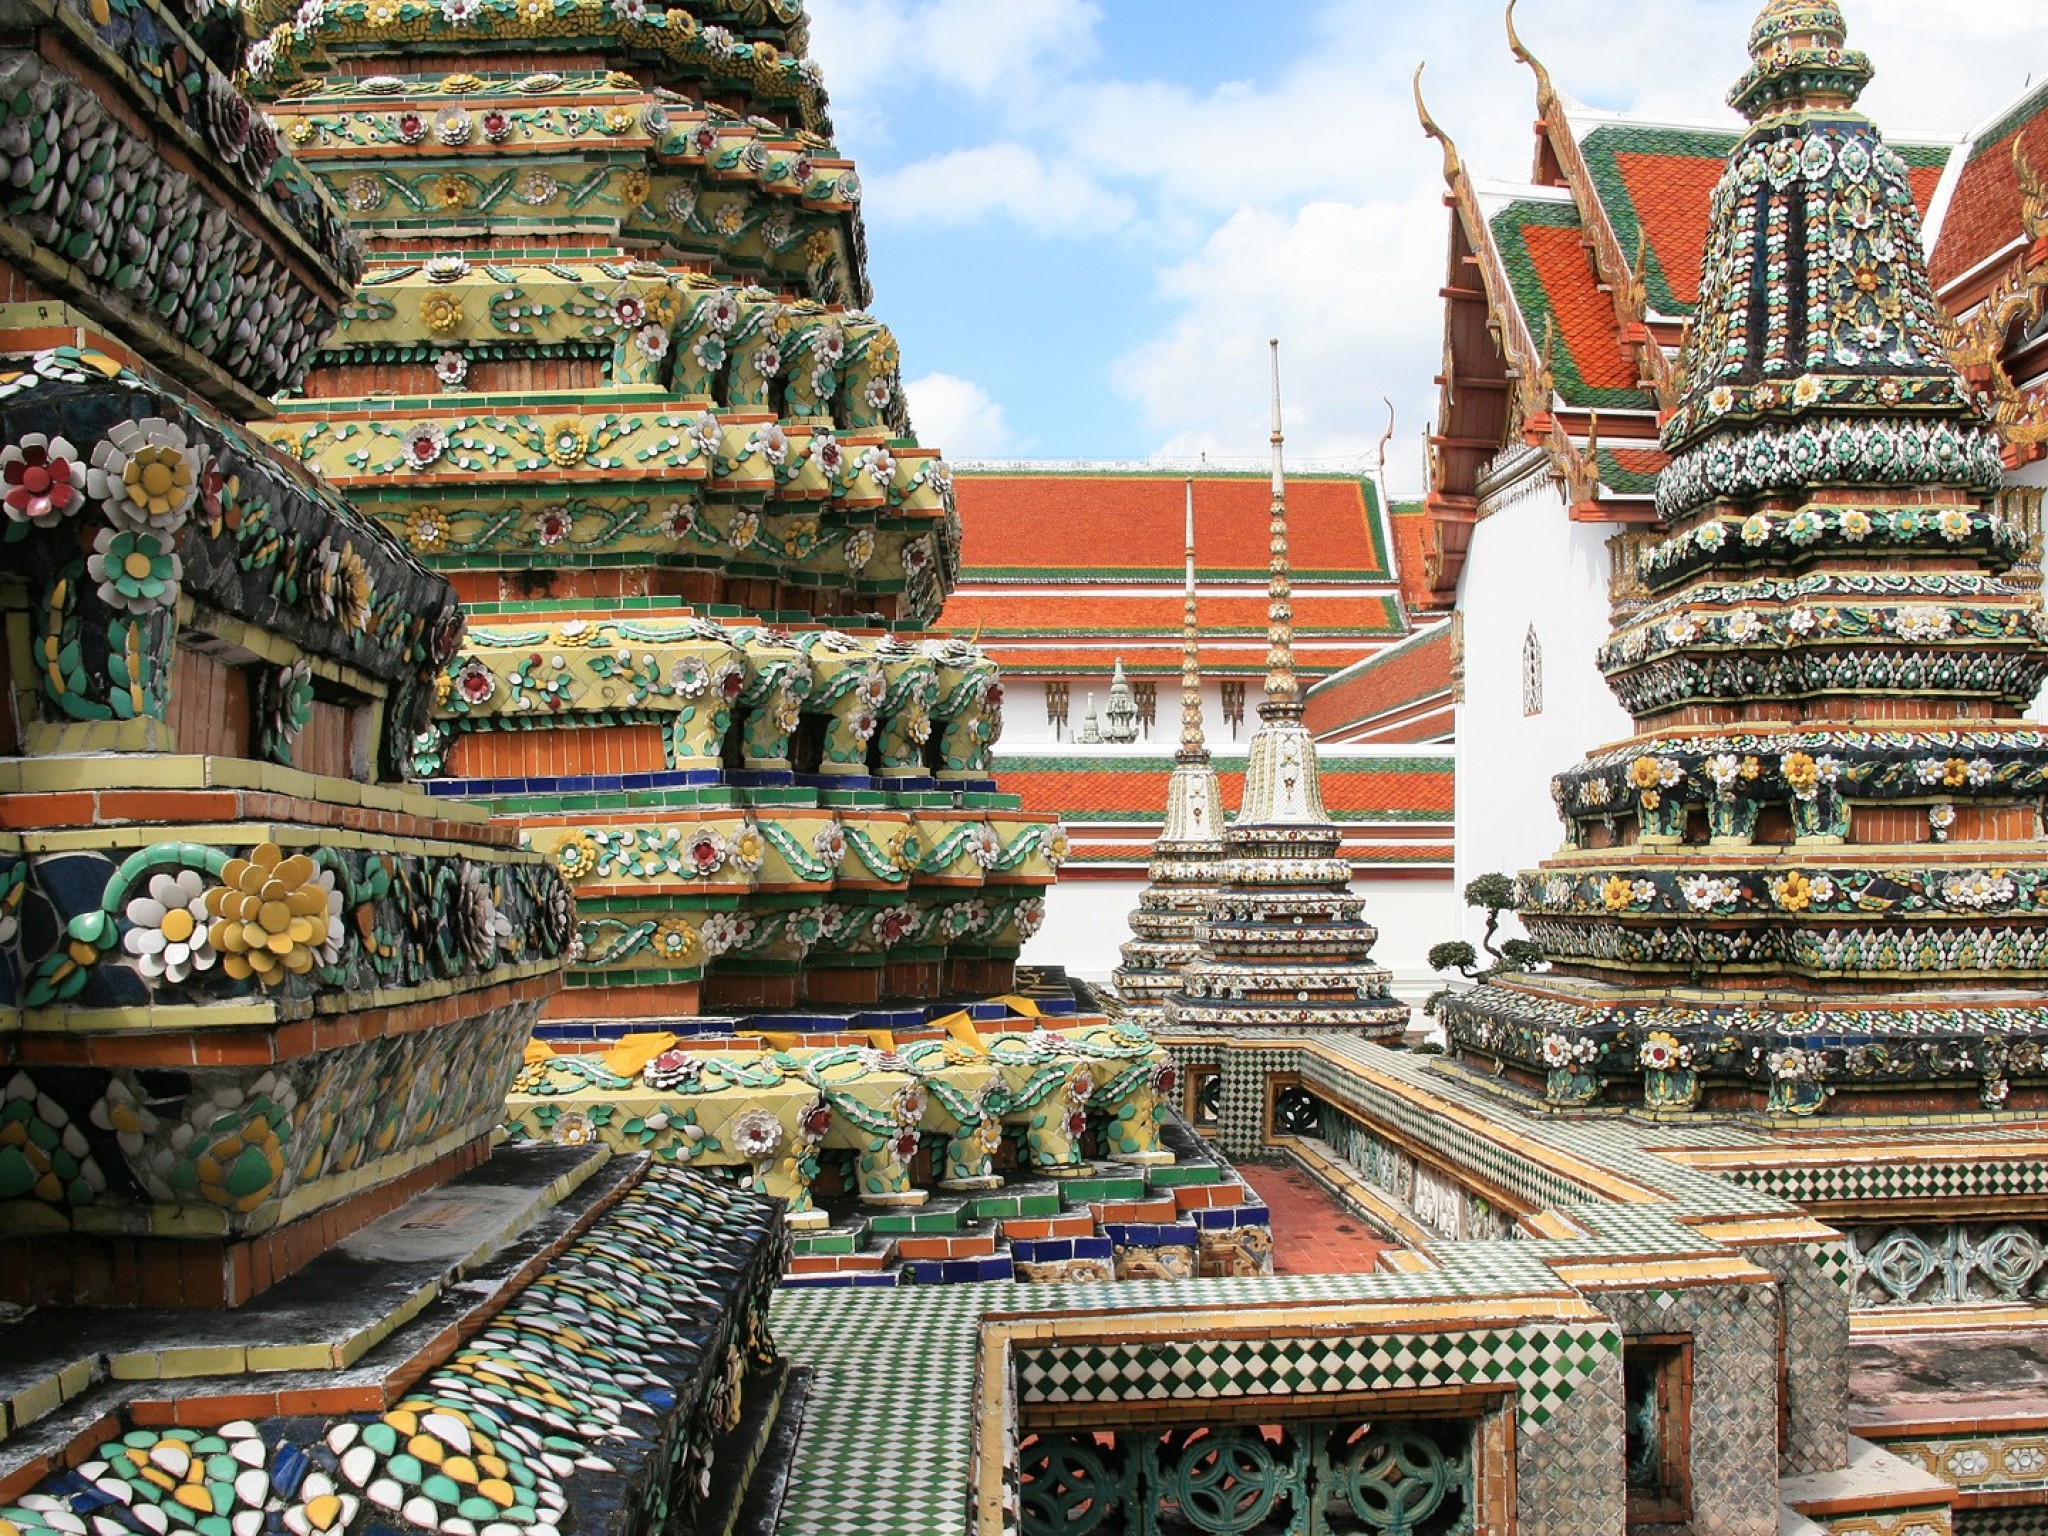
x=1158, y=1224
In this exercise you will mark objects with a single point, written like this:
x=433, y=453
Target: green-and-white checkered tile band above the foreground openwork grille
x=1543, y=1363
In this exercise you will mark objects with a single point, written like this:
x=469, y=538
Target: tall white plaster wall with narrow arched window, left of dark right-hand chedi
x=1529, y=564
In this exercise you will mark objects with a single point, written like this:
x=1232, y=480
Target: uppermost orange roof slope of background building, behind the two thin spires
x=1117, y=525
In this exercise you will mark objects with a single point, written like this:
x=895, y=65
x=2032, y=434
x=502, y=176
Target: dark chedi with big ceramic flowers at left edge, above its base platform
x=253, y=992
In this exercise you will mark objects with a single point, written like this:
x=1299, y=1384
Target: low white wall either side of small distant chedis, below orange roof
x=1086, y=923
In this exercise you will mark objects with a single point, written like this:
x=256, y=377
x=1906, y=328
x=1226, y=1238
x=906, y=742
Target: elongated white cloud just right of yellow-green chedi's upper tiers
x=998, y=181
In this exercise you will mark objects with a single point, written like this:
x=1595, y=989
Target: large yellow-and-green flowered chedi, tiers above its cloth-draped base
x=611, y=374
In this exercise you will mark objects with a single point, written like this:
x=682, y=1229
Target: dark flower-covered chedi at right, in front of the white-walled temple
x=1816, y=873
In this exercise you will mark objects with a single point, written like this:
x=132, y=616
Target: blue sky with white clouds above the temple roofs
x=1086, y=216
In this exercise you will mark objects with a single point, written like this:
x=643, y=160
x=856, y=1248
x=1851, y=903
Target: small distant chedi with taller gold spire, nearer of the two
x=1283, y=943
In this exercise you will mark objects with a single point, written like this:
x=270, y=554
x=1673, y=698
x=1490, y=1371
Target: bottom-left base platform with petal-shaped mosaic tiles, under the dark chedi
x=552, y=1342
